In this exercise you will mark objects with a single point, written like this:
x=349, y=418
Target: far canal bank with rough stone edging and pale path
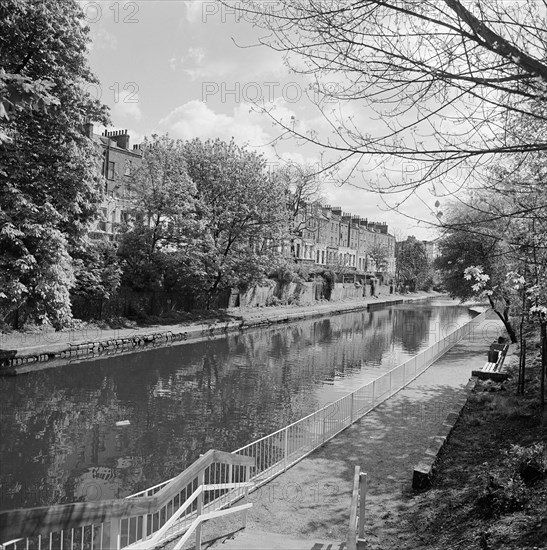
x=22, y=353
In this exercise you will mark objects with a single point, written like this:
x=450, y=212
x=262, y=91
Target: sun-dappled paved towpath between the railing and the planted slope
x=311, y=500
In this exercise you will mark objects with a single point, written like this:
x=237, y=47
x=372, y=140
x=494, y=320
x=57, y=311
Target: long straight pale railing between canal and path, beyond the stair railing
x=282, y=449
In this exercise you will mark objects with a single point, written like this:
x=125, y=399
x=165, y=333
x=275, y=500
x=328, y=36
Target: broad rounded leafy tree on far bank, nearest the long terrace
x=241, y=214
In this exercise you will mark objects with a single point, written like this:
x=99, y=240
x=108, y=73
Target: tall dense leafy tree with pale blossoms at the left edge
x=49, y=171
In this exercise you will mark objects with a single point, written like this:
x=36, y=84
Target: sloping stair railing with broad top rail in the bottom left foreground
x=142, y=521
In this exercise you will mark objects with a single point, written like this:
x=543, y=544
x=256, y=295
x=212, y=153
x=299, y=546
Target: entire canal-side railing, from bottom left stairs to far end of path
x=133, y=521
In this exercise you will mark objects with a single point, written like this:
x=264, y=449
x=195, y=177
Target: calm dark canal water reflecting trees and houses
x=108, y=427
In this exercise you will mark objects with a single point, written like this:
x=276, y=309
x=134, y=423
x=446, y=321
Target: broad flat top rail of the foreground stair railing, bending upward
x=29, y=522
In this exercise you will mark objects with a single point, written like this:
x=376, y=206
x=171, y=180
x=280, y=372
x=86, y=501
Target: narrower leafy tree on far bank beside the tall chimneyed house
x=162, y=220
